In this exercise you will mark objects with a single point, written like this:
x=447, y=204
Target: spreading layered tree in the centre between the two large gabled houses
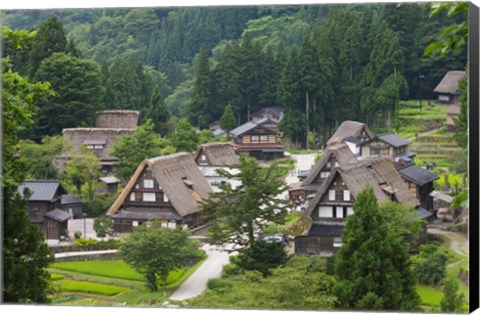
x=236, y=214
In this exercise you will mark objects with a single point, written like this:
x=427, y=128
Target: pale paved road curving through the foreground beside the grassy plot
x=197, y=282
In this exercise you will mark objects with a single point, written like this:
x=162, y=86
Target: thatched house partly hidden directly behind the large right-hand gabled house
x=335, y=155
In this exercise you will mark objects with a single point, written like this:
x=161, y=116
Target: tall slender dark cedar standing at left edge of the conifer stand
x=201, y=111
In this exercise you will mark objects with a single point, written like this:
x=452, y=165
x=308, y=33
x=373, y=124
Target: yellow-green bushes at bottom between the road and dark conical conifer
x=299, y=285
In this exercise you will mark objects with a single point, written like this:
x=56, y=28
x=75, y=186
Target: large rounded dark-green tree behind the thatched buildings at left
x=78, y=84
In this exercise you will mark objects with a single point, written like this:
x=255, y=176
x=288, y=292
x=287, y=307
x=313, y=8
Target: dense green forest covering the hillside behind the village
x=321, y=63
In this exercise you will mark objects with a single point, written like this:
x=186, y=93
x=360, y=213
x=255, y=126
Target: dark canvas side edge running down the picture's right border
x=473, y=100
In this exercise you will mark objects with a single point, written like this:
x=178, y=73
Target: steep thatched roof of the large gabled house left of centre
x=171, y=172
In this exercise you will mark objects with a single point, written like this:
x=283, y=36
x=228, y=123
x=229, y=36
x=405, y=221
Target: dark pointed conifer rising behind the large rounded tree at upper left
x=50, y=39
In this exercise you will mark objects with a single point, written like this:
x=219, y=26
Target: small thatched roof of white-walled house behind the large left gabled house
x=217, y=153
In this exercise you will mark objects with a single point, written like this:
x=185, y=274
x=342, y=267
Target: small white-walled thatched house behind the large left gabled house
x=211, y=157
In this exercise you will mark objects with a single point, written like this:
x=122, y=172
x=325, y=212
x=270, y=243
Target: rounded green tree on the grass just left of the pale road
x=155, y=251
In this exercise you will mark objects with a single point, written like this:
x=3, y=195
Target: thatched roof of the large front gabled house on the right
x=376, y=172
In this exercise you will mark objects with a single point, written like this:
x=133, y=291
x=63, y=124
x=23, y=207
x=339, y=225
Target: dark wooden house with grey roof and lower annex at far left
x=49, y=206
